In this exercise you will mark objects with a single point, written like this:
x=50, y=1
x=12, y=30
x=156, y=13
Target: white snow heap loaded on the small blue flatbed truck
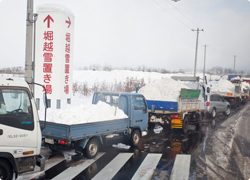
x=85, y=114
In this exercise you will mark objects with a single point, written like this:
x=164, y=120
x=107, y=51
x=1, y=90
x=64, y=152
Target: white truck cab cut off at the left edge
x=20, y=130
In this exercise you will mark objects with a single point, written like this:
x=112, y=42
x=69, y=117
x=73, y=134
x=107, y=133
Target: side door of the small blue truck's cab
x=140, y=112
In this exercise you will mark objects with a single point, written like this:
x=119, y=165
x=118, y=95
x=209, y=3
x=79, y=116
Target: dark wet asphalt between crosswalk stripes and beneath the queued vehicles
x=168, y=143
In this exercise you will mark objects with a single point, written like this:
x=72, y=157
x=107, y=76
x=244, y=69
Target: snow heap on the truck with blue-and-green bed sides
x=166, y=89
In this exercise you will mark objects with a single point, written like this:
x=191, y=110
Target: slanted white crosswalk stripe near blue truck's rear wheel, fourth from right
x=71, y=172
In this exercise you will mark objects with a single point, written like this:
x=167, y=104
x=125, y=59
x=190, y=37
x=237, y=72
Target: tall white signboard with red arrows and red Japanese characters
x=54, y=51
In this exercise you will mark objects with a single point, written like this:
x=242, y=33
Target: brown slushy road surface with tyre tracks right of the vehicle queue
x=224, y=153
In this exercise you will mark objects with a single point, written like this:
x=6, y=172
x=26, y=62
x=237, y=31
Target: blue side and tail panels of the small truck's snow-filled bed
x=81, y=131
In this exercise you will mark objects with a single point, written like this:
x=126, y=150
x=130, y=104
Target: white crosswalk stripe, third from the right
x=110, y=170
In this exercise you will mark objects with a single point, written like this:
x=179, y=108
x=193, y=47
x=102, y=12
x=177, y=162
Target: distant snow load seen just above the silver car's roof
x=222, y=85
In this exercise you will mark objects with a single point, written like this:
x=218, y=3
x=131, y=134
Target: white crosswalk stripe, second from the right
x=146, y=170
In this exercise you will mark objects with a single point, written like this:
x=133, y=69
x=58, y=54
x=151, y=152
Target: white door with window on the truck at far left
x=17, y=129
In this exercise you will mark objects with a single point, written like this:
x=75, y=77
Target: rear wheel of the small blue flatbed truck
x=91, y=149
